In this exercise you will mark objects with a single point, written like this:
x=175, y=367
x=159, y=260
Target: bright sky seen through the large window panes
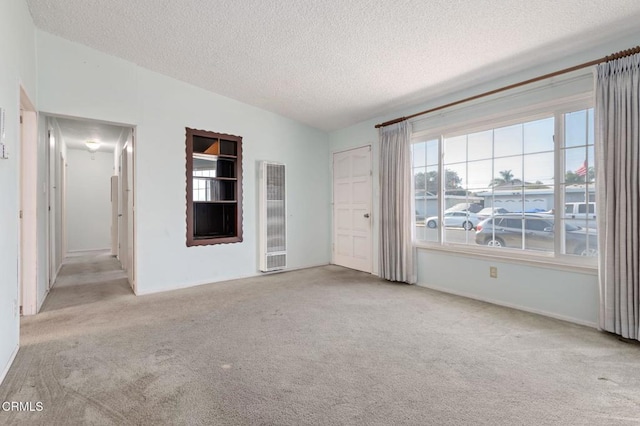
x=524, y=150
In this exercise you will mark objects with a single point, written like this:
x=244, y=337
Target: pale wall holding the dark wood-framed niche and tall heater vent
x=78, y=81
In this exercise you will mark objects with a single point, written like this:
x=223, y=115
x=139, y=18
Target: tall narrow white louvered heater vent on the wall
x=273, y=215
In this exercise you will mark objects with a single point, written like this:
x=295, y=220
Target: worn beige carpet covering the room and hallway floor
x=322, y=346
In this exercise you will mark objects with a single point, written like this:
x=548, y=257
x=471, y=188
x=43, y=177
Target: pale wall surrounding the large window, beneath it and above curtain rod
x=555, y=292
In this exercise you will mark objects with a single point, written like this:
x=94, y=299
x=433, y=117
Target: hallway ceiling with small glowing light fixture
x=76, y=132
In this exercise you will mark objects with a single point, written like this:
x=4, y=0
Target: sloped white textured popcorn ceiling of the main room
x=332, y=63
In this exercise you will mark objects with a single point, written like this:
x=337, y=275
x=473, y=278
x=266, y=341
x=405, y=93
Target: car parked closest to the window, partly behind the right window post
x=506, y=230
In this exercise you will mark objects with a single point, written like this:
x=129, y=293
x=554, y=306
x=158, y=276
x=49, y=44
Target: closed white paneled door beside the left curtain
x=352, y=193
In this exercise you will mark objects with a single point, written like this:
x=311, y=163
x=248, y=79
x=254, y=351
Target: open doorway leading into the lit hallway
x=92, y=192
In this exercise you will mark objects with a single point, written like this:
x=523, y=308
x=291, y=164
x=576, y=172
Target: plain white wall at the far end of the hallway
x=88, y=200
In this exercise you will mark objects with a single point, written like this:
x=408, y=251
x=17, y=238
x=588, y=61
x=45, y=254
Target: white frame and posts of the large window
x=556, y=109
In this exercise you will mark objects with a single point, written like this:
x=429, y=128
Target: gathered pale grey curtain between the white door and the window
x=396, y=201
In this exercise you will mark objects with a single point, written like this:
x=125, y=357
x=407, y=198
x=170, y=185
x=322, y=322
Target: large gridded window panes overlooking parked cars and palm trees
x=501, y=188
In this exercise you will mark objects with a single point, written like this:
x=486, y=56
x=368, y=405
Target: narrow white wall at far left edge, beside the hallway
x=18, y=66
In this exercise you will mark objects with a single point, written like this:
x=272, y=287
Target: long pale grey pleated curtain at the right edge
x=617, y=150
